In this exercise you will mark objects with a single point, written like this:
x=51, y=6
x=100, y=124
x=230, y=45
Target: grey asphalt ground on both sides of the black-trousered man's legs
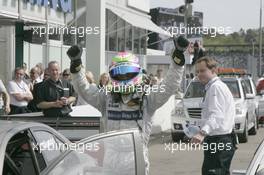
x=170, y=159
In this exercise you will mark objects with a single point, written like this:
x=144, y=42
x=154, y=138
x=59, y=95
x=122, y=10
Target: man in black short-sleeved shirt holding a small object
x=55, y=95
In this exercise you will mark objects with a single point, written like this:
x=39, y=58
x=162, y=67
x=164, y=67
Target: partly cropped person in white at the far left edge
x=4, y=100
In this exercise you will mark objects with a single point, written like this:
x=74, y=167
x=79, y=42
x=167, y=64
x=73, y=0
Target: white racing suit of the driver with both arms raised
x=121, y=116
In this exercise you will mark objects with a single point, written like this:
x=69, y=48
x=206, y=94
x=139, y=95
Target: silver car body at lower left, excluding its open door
x=25, y=150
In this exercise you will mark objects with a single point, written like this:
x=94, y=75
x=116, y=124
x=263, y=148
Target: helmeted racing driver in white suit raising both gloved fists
x=125, y=106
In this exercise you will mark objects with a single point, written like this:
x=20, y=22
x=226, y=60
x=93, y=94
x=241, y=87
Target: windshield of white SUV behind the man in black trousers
x=195, y=90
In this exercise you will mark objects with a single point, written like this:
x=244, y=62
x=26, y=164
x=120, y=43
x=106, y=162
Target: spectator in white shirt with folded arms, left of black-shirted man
x=19, y=92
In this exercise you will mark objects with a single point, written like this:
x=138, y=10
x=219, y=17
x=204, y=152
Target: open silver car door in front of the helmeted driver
x=115, y=153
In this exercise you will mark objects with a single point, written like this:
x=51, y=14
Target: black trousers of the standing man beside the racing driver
x=218, y=156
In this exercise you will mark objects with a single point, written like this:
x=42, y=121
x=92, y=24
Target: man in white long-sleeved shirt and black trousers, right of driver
x=218, y=119
